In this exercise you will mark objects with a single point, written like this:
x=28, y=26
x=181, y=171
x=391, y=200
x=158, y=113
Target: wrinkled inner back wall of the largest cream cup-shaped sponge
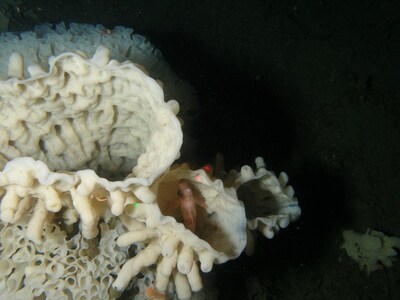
x=94, y=113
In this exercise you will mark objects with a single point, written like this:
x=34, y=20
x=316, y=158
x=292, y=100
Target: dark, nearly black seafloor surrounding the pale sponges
x=313, y=87
